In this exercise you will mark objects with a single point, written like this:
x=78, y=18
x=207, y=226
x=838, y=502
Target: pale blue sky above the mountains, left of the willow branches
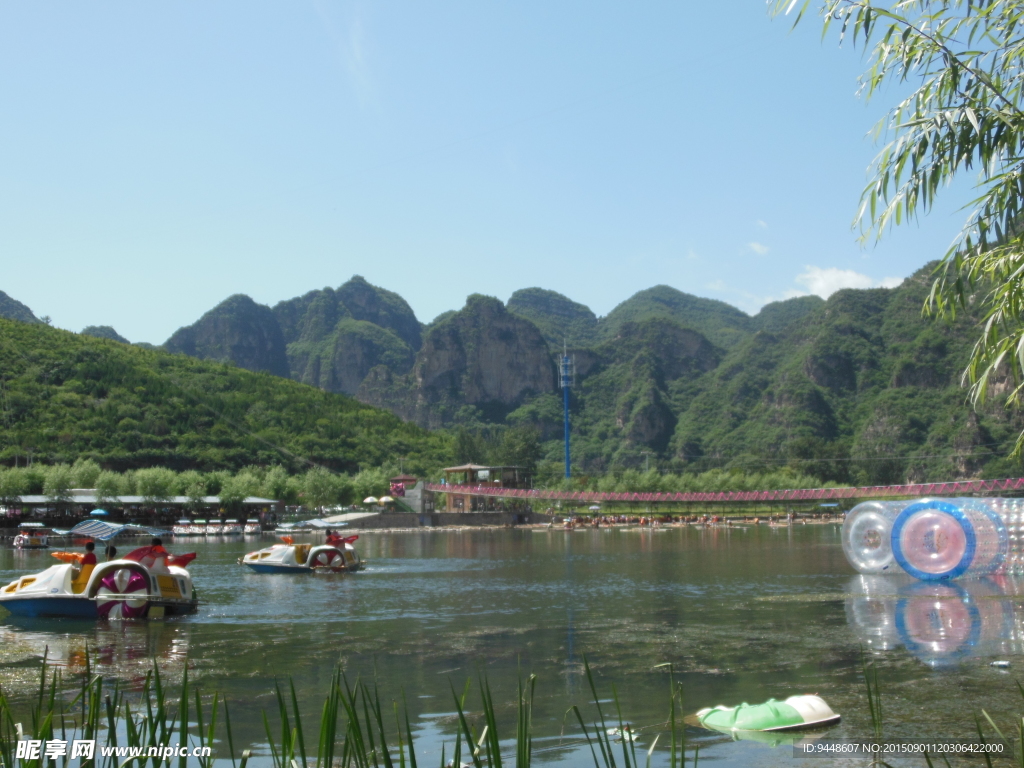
x=157, y=158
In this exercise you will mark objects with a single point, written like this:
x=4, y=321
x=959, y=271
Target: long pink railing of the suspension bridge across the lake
x=958, y=488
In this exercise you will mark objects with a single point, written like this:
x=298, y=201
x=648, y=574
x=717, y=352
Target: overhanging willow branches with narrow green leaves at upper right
x=963, y=116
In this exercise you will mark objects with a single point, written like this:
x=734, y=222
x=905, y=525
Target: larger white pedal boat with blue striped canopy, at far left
x=148, y=583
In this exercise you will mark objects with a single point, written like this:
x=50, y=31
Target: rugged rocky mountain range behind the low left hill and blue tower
x=860, y=389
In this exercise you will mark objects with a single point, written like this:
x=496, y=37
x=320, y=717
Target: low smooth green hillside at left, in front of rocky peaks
x=66, y=396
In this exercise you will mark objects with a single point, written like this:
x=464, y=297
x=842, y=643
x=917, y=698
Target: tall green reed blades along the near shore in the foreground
x=357, y=729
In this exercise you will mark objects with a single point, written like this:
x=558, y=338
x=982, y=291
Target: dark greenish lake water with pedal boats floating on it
x=743, y=614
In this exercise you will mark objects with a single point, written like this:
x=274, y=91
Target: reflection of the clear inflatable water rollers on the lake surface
x=940, y=623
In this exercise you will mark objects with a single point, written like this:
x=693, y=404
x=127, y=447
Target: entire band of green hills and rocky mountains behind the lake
x=860, y=389
